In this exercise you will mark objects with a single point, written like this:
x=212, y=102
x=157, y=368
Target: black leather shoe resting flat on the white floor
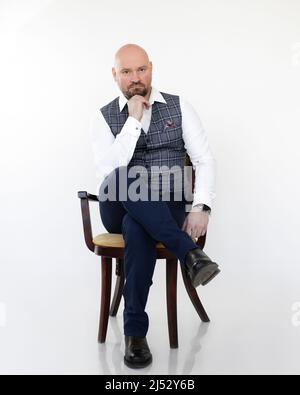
x=137, y=352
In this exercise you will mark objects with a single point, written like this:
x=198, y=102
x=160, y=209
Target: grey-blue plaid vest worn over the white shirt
x=162, y=145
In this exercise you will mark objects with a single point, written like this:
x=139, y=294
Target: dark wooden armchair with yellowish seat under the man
x=109, y=246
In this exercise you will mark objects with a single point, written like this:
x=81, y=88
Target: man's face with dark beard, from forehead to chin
x=133, y=75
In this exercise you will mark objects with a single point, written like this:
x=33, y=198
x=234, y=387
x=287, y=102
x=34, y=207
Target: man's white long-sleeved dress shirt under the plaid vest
x=111, y=152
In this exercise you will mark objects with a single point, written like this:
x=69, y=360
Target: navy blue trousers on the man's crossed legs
x=143, y=224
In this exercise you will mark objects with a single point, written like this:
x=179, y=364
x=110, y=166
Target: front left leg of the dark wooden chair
x=105, y=297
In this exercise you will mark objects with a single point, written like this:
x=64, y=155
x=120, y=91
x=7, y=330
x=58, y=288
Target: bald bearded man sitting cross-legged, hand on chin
x=146, y=128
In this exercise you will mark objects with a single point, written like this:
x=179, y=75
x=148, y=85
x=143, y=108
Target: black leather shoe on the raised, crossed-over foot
x=200, y=267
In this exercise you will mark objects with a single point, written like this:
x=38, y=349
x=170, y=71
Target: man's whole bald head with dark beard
x=133, y=71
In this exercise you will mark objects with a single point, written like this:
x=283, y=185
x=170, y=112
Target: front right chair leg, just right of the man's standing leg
x=171, y=279
